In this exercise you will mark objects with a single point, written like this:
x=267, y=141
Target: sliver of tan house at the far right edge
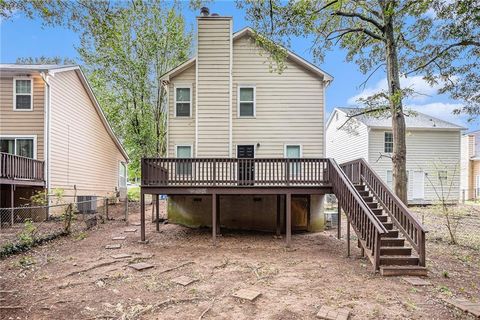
x=470, y=188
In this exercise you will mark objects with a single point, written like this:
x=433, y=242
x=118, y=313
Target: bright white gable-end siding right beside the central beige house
x=346, y=141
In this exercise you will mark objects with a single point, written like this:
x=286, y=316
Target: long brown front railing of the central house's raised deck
x=234, y=172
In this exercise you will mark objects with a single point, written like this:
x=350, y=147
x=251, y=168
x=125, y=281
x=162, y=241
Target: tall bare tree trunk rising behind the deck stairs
x=399, y=155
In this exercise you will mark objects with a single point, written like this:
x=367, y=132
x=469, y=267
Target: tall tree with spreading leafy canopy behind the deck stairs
x=396, y=37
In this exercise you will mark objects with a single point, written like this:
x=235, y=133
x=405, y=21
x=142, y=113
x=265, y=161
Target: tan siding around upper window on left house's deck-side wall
x=23, y=122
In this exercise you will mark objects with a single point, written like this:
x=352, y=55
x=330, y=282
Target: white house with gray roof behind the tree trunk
x=433, y=150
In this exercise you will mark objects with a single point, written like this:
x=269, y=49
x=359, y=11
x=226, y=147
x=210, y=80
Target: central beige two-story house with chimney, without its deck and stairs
x=226, y=102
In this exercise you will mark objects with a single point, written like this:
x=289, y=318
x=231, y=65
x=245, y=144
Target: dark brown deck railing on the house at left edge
x=14, y=167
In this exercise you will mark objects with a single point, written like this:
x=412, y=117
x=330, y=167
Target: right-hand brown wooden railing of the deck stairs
x=407, y=223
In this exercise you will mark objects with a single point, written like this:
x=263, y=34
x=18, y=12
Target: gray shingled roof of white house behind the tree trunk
x=416, y=120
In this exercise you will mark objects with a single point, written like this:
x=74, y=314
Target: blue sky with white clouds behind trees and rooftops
x=22, y=37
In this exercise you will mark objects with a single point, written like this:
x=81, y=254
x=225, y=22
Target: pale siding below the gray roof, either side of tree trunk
x=427, y=151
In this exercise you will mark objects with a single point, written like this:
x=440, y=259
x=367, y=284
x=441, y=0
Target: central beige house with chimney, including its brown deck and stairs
x=246, y=150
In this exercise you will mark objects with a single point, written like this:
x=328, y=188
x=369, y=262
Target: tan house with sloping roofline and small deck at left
x=53, y=134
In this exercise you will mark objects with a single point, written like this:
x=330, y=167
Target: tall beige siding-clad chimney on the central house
x=213, y=58
